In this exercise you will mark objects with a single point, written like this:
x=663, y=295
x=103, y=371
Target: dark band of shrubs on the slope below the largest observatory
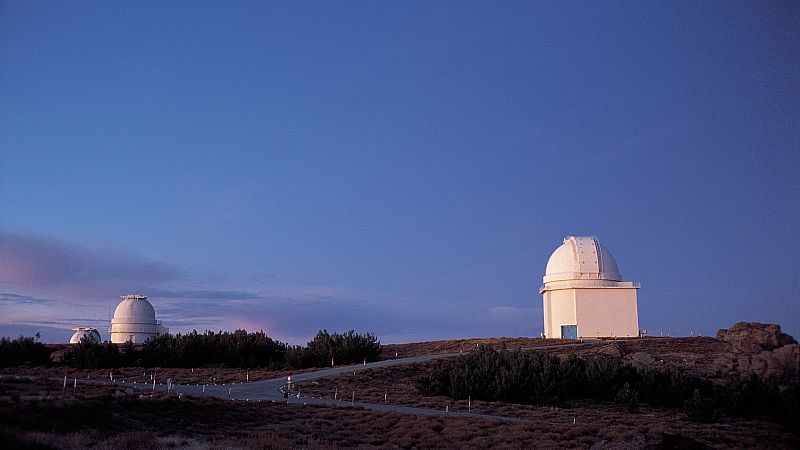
x=538, y=379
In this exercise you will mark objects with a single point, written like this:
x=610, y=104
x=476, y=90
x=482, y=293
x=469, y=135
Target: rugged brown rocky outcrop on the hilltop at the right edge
x=763, y=350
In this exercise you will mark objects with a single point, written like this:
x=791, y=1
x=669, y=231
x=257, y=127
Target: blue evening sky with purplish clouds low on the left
x=404, y=168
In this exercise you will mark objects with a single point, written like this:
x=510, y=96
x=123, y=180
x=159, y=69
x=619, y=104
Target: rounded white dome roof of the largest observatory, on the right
x=581, y=258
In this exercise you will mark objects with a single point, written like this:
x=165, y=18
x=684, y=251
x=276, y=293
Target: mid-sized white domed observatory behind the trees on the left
x=135, y=321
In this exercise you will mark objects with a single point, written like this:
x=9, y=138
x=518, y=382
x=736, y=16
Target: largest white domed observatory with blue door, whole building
x=584, y=294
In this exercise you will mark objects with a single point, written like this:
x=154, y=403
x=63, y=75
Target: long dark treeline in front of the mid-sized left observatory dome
x=237, y=349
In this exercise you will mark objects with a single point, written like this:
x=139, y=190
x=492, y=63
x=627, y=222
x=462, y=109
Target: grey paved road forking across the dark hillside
x=270, y=390
